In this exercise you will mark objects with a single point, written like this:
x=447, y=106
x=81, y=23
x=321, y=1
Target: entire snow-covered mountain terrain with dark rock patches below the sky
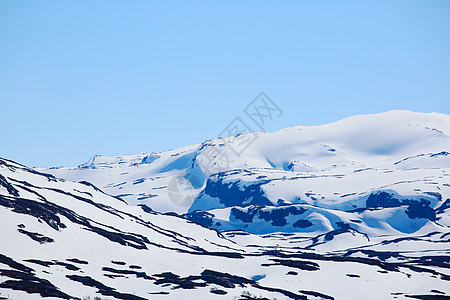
x=356, y=209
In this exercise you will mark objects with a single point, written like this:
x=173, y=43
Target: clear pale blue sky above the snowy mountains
x=79, y=78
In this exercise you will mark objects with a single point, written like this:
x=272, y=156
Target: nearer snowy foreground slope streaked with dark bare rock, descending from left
x=69, y=240
